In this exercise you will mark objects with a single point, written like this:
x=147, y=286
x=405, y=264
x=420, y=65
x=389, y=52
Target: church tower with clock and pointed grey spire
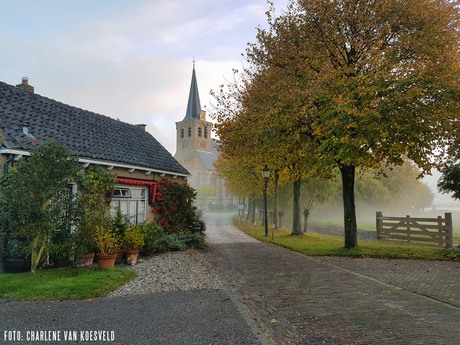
x=193, y=133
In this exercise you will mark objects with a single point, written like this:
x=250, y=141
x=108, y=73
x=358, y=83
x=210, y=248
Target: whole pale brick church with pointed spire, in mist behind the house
x=197, y=151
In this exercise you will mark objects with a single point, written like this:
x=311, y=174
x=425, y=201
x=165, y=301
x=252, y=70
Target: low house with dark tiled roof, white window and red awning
x=135, y=156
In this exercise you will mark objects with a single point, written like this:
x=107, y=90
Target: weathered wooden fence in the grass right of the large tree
x=434, y=230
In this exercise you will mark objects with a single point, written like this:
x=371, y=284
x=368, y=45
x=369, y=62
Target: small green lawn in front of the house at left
x=57, y=284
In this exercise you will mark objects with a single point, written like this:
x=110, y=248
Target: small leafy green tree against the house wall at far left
x=35, y=198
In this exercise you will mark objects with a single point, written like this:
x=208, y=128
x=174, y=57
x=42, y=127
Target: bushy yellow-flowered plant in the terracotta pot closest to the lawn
x=107, y=243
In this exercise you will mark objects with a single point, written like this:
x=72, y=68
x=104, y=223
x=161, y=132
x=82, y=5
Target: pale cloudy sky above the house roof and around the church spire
x=127, y=59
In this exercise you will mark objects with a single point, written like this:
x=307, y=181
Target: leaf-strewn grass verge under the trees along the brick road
x=319, y=245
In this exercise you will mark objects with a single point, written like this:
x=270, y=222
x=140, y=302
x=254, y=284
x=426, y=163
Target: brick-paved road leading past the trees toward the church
x=302, y=300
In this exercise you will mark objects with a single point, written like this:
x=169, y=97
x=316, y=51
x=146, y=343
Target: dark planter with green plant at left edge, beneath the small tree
x=17, y=256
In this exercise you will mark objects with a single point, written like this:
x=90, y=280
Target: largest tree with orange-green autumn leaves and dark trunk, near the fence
x=361, y=84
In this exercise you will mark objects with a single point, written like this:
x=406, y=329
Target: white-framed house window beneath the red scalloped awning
x=132, y=202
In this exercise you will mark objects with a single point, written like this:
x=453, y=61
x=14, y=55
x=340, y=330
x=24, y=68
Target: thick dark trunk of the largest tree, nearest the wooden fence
x=349, y=212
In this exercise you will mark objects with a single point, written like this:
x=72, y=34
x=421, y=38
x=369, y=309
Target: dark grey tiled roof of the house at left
x=84, y=133
